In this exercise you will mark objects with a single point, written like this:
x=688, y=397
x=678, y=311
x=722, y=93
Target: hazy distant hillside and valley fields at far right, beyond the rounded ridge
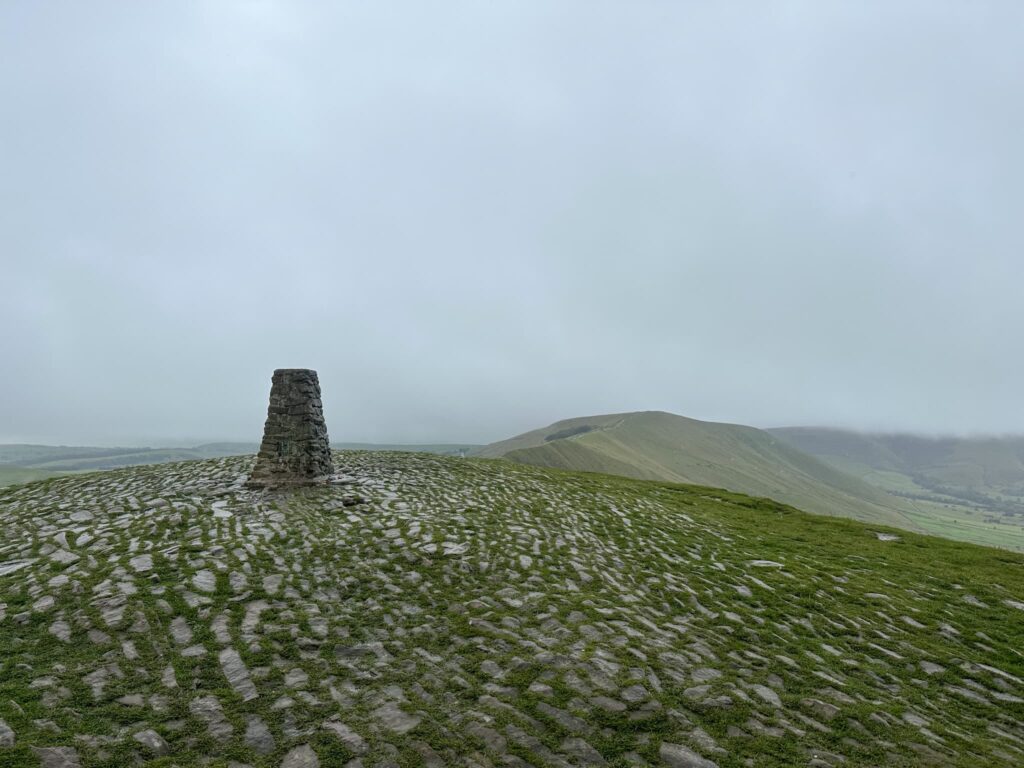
x=956, y=484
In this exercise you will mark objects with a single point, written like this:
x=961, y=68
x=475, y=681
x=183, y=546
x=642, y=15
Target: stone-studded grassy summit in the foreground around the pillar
x=437, y=612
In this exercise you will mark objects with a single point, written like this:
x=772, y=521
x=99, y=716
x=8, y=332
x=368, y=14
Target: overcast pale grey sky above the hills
x=475, y=219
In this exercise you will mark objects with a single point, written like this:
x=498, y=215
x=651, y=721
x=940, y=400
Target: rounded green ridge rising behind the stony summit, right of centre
x=665, y=447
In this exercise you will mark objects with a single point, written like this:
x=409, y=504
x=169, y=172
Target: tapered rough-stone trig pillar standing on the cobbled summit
x=295, y=449
